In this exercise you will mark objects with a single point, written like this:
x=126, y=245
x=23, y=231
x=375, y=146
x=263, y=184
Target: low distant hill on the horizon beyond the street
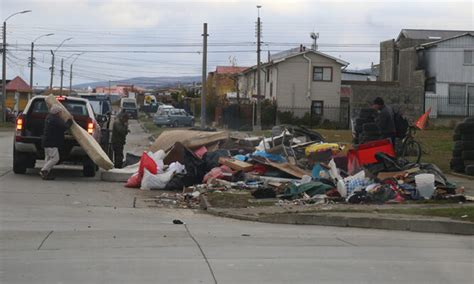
x=146, y=82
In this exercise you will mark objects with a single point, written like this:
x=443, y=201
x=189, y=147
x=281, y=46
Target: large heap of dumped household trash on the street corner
x=295, y=165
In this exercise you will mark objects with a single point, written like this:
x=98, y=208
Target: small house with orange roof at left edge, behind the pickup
x=17, y=94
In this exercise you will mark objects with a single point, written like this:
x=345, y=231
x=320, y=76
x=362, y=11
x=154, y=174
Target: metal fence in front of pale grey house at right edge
x=446, y=106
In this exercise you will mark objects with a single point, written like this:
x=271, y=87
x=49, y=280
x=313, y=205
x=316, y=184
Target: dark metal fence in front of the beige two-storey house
x=242, y=117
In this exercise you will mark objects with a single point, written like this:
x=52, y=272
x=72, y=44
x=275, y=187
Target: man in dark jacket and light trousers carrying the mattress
x=53, y=140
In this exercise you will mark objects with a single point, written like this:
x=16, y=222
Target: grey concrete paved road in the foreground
x=80, y=230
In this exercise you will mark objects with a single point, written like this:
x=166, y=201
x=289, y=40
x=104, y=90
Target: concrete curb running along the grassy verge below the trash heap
x=373, y=222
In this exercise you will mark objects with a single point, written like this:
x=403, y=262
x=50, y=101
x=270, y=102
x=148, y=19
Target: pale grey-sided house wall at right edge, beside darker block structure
x=449, y=67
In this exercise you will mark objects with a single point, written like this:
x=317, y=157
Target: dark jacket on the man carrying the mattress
x=54, y=128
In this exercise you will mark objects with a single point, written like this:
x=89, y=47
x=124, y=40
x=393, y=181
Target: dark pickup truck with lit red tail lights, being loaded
x=27, y=145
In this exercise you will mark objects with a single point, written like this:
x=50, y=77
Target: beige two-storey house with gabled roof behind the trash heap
x=299, y=80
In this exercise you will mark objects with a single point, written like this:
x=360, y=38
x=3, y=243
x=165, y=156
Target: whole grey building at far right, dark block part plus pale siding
x=425, y=63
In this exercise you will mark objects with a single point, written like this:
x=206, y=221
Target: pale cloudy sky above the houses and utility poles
x=127, y=38
